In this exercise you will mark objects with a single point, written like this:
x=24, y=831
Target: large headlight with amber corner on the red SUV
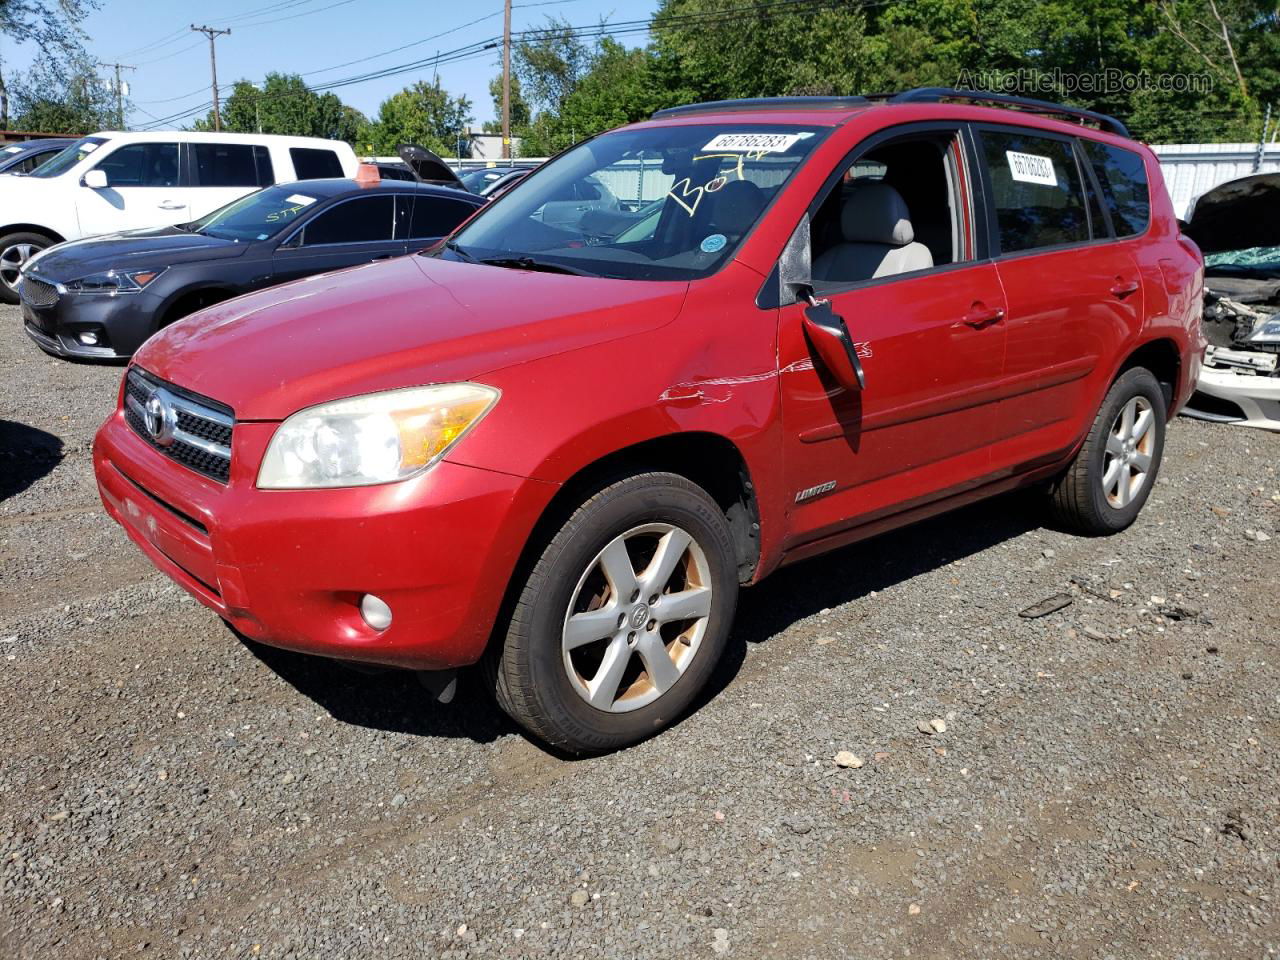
x=374, y=440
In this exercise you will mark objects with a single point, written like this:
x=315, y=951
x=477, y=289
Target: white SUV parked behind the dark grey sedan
x=113, y=182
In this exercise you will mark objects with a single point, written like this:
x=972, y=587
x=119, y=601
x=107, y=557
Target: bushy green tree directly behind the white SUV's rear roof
x=287, y=106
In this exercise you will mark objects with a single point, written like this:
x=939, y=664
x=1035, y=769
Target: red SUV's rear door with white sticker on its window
x=1073, y=294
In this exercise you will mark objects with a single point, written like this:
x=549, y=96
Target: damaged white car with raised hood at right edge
x=1238, y=228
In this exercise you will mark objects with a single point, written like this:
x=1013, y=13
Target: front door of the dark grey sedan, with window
x=349, y=232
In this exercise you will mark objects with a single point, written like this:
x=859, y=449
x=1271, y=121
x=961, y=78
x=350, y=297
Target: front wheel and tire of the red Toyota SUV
x=546, y=669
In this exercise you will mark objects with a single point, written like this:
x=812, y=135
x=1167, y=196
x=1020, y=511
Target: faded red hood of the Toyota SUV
x=397, y=323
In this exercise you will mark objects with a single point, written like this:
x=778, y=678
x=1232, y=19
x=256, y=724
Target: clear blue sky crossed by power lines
x=312, y=38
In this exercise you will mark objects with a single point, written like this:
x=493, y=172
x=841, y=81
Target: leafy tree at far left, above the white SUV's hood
x=54, y=98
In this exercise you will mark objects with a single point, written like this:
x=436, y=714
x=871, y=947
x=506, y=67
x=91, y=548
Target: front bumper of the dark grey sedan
x=122, y=323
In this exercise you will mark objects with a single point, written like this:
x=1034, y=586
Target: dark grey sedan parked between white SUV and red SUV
x=102, y=298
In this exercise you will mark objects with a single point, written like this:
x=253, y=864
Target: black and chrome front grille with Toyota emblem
x=190, y=429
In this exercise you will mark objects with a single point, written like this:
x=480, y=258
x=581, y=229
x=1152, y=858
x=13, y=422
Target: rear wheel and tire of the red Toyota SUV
x=1091, y=500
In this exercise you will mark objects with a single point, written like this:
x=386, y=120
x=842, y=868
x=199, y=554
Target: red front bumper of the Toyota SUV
x=290, y=568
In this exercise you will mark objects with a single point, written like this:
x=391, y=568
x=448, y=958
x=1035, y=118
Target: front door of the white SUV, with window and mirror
x=144, y=189
